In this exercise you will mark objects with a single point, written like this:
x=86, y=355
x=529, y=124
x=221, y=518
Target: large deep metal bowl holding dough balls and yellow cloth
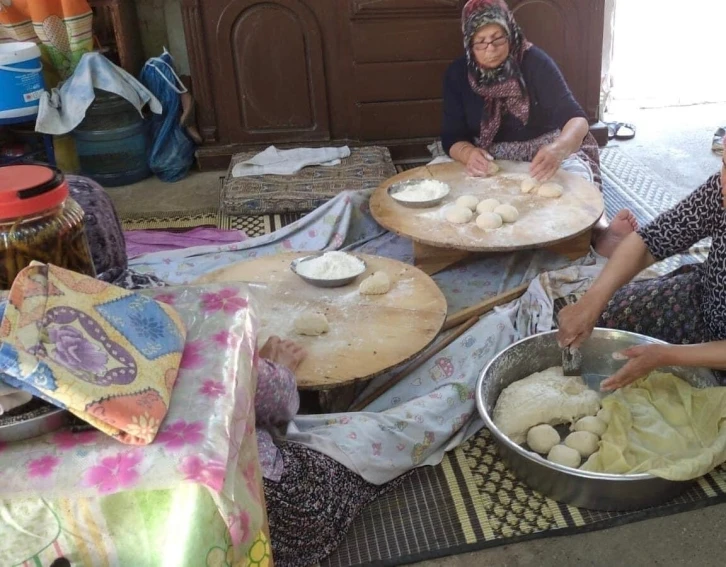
x=572, y=486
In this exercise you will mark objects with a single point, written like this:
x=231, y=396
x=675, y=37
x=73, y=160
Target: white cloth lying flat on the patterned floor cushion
x=288, y=162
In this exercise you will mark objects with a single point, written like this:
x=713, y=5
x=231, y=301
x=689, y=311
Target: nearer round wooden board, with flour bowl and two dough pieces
x=368, y=334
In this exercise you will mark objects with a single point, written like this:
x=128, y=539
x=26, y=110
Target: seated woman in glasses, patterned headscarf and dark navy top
x=506, y=99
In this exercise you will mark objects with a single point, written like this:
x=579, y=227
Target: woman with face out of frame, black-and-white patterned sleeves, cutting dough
x=686, y=308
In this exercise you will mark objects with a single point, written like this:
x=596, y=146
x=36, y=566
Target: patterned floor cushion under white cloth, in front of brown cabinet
x=366, y=167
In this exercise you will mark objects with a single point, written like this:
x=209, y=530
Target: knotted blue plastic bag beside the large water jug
x=172, y=150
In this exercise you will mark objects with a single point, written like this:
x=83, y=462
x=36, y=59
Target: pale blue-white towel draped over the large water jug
x=65, y=108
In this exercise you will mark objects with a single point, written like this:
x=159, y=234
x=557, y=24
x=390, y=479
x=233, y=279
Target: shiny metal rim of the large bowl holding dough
x=505, y=440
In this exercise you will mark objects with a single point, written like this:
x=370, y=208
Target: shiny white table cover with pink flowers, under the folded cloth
x=208, y=436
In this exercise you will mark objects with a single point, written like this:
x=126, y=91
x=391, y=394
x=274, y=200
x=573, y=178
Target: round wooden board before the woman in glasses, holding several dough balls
x=542, y=223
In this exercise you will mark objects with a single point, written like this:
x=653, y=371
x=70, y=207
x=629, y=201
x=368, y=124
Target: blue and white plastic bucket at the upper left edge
x=21, y=79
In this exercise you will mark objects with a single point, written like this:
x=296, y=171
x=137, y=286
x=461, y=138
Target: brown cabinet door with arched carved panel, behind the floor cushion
x=268, y=74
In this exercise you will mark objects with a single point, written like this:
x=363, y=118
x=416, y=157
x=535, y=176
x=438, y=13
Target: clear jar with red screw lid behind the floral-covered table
x=39, y=221
